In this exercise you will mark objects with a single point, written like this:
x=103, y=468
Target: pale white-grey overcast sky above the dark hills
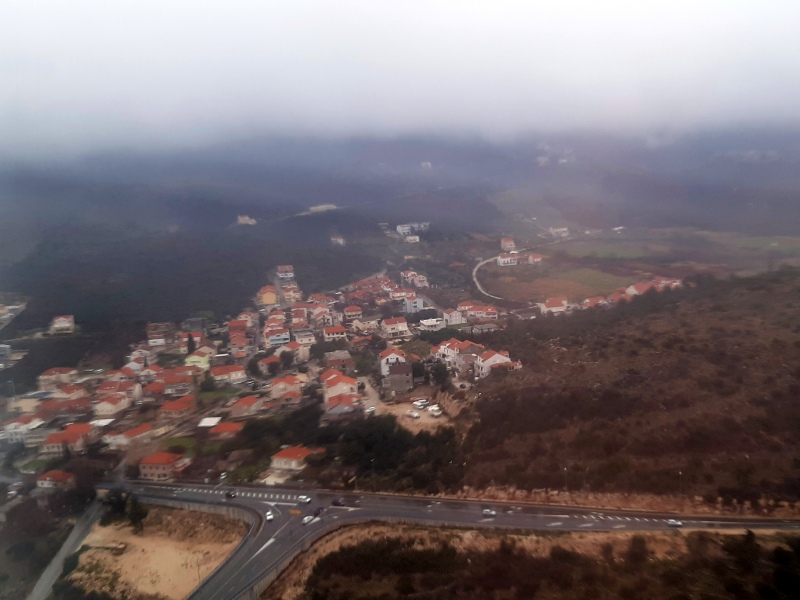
x=78, y=75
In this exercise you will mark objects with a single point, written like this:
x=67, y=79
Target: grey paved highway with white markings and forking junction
x=270, y=543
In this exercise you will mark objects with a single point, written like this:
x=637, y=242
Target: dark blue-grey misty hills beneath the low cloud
x=141, y=219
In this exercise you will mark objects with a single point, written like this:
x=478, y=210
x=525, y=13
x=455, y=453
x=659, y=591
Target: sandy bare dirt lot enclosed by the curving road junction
x=177, y=550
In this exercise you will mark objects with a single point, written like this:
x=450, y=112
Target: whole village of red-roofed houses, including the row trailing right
x=357, y=352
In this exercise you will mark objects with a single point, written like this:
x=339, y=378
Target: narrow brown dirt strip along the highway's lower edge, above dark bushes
x=290, y=585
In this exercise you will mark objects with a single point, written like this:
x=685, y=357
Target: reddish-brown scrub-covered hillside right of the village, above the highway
x=694, y=391
